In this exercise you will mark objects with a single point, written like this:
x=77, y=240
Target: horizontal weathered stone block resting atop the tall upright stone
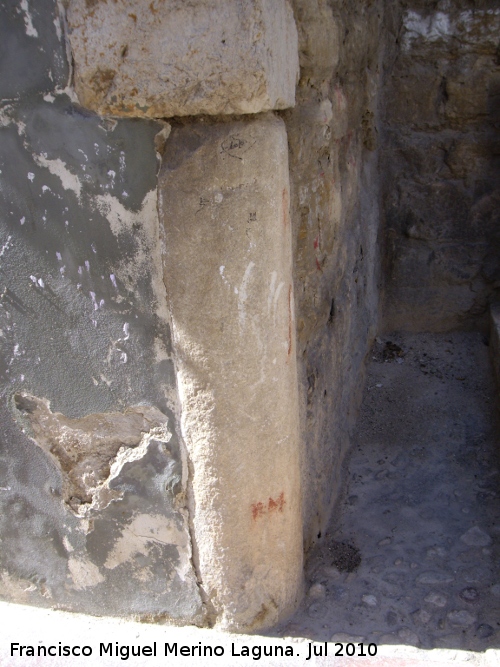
x=177, y=58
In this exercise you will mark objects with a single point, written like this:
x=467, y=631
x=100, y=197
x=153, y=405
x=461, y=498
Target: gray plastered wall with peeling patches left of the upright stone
x=87, y=384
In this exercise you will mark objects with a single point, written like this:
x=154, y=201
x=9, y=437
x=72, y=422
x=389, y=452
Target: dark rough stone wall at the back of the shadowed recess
x=440, y=164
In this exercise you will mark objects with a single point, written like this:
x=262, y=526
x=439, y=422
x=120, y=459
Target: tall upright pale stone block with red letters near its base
x=224, y=204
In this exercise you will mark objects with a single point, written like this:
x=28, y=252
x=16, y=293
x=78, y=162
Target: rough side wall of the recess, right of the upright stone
x=333, y=172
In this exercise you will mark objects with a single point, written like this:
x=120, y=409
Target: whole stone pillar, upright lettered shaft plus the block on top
x=224, y=208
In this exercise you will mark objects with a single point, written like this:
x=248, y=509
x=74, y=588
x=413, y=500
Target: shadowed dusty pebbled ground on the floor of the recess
x=414, y=555
